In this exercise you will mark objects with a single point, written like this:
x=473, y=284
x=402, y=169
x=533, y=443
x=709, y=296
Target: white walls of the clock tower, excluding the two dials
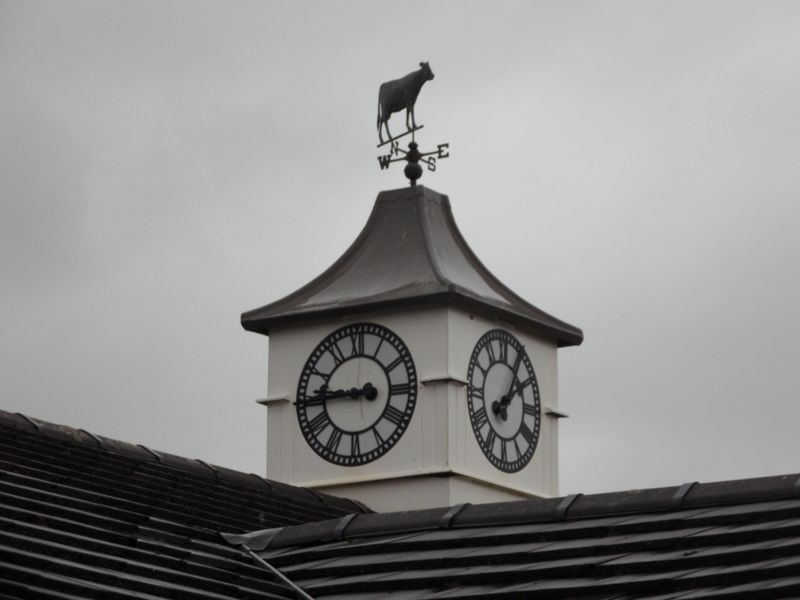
x=437, y=461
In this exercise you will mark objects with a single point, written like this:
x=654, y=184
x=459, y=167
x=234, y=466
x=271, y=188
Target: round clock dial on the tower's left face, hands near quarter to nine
x=356, y=394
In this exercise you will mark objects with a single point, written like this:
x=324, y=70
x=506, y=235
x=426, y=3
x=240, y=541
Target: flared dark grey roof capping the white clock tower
x=409, y=252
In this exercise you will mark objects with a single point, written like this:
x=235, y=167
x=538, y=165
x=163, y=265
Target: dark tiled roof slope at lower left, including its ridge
x=83, y=516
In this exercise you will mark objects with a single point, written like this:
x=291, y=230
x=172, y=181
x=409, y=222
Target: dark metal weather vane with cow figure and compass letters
x=393, y=97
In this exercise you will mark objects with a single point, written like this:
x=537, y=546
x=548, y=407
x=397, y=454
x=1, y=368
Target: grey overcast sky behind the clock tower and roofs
x=629, y=166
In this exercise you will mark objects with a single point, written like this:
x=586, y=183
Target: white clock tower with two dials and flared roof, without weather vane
x=407, y=375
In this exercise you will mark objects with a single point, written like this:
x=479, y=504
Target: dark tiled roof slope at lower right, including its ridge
x=737, y=539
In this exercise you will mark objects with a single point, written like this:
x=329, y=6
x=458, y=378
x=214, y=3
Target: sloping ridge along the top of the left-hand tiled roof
x=65, y=433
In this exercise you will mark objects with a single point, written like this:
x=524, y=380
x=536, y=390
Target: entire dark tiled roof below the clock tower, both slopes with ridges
x=83, y=516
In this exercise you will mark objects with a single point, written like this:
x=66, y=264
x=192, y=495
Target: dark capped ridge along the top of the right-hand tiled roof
x=550, y=510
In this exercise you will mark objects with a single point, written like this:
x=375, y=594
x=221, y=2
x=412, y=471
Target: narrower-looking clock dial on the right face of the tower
x=503, y=399
